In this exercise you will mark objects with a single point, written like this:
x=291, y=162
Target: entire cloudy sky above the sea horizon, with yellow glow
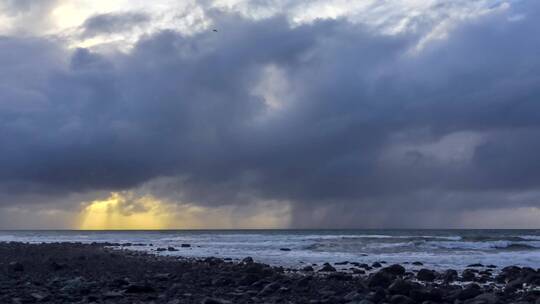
x=128, y=114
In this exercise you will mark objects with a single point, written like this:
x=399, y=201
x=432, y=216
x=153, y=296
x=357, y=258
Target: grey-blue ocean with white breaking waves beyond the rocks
x=437, y=249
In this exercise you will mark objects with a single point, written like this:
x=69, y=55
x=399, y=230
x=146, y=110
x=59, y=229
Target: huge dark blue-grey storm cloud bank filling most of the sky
x=362, y=129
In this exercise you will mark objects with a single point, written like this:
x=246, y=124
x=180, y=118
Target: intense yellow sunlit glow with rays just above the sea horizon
x=119, y=211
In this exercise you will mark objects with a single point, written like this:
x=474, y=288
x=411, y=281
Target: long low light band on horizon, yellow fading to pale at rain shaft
x=128, y=211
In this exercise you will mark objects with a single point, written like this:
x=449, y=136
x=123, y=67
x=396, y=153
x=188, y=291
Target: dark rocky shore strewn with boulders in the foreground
x=96, y=273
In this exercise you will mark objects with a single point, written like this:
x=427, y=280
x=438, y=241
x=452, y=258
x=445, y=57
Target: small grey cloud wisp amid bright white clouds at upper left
x=112, y=23
